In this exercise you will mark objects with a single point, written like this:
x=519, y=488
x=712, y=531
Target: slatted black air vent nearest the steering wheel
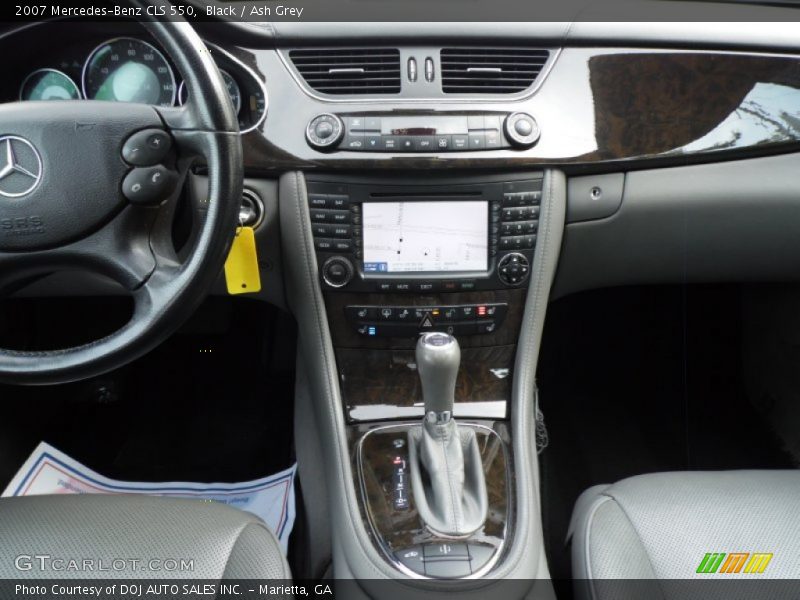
x=350, y=71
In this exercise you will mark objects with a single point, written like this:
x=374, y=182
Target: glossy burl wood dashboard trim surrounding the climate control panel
x=596, y=107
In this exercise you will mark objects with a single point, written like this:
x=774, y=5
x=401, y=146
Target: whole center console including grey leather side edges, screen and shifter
x=430, y=451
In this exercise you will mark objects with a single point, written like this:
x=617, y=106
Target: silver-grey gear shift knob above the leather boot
x=438, y=359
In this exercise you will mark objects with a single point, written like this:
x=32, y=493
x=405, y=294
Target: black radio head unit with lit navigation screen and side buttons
x=424, y=238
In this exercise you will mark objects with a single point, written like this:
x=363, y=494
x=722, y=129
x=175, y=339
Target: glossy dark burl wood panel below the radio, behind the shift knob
x=378, y=376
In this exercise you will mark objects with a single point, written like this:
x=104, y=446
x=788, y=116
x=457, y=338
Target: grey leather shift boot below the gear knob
x=447, y=478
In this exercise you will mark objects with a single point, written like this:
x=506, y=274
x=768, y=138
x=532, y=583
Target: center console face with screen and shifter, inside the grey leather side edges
x=397, y=259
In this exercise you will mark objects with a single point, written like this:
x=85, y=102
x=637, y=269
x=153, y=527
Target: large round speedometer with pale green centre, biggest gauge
x=129, y=70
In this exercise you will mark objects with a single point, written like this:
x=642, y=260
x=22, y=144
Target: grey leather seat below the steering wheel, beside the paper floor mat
x=221, y=542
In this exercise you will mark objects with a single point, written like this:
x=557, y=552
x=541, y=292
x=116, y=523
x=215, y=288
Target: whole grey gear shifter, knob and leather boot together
x=446, y=470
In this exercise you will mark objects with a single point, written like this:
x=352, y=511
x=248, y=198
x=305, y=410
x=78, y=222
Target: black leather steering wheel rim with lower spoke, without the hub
x=165, y=290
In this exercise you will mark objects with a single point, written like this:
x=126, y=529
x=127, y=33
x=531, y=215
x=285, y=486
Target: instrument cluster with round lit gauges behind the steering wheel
x=130, y=69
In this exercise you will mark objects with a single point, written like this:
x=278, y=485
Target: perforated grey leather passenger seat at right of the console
x=660, y=527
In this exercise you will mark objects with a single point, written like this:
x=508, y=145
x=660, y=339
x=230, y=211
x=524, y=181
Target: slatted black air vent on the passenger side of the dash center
x=490, y=70
